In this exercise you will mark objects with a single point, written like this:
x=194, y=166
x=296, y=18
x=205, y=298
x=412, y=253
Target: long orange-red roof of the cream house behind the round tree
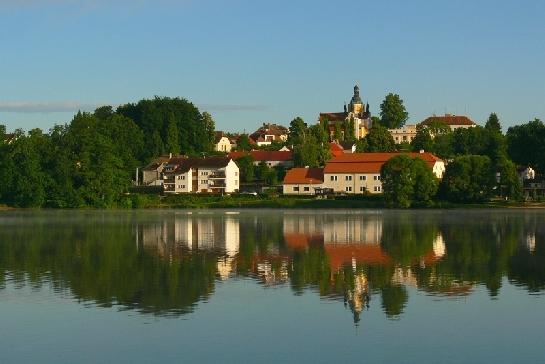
x=369, y=162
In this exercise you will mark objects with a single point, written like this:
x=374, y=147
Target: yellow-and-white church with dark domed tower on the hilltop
x=356, y=115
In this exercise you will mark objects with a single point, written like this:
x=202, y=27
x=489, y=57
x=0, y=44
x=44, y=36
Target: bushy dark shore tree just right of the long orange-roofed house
x=468, y=178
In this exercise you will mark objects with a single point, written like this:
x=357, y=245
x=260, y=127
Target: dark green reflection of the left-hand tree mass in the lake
x=98, y=261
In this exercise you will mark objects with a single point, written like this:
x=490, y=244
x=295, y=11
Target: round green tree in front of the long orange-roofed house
x=407, y=181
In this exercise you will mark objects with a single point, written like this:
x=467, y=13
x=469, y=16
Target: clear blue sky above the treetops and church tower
x=249, y=62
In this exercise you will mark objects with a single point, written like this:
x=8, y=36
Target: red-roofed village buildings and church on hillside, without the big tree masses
x=266, y=160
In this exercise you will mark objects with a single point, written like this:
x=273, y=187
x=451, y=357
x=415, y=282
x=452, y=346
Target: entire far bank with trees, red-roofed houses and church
x=167, y=146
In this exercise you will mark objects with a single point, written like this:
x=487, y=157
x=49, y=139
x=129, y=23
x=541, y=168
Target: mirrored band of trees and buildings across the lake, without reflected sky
x=167, y=262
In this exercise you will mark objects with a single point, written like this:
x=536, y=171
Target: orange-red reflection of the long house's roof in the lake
x=340, y=255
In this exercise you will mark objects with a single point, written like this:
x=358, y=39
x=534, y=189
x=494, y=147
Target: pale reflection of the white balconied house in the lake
x=181, y=233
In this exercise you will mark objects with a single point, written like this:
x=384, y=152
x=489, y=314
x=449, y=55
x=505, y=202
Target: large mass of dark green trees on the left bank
x=91, y=160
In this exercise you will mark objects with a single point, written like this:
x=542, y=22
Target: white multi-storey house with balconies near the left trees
x=200, y=175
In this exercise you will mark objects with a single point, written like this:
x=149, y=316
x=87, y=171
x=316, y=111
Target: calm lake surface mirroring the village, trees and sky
x=272, y=286
